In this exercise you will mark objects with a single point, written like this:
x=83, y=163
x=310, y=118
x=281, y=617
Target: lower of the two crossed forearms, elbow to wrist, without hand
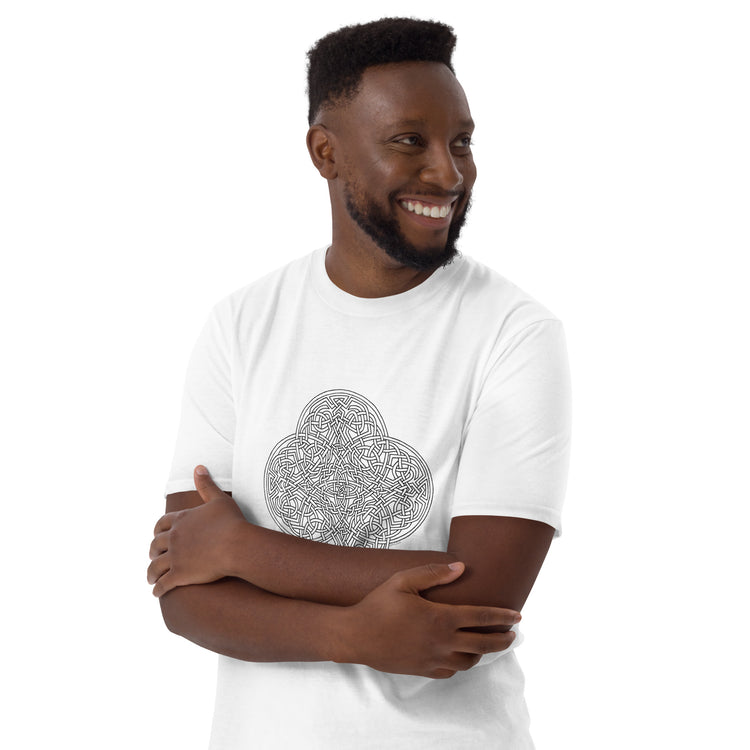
x=234, y=618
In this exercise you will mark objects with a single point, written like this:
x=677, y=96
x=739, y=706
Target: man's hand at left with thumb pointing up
x=191, y=546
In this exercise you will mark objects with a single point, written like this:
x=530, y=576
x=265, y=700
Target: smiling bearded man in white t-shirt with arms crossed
x=392, y=421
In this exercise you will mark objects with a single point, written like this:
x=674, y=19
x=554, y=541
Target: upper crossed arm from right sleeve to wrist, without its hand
x=502, y=556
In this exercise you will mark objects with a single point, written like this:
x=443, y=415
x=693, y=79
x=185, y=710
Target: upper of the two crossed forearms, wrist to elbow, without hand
x=330, y=574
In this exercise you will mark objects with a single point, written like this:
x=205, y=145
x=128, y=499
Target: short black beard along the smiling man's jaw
x=384, y=230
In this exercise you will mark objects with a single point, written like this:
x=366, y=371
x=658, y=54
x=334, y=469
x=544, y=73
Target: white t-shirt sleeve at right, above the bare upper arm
x=516, y=445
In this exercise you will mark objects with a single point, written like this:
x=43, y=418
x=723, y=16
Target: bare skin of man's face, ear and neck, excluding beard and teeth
x=395, y=137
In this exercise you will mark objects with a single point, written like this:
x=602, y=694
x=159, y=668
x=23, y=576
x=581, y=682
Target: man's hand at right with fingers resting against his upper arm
x=394, y=629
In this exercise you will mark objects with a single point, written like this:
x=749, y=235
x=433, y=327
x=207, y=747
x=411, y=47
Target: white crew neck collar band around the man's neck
x=376, y=306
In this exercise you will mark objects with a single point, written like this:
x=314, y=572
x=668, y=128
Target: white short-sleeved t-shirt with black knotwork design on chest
x=373, y=422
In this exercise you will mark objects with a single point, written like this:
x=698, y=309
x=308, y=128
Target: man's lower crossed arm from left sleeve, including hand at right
x=393, y=629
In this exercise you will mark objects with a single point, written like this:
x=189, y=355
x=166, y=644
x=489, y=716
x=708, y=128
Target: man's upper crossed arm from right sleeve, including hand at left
x=502, y=555
